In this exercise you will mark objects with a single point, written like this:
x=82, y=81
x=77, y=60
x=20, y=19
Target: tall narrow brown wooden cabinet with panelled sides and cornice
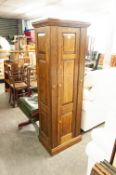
x=60, y=52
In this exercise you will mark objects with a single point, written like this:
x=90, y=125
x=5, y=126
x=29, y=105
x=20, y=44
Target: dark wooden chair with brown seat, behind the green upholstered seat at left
x=19, y=83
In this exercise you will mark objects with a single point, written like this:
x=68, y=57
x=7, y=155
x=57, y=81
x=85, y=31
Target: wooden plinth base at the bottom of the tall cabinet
x=59, y=148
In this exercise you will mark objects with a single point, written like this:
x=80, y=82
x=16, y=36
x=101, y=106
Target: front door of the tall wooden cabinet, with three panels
x=68, y=49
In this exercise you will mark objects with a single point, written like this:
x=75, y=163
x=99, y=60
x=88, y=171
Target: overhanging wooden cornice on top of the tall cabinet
x=59, y=22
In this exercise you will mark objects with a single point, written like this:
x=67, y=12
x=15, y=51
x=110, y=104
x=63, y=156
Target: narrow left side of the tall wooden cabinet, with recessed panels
x=43, y=47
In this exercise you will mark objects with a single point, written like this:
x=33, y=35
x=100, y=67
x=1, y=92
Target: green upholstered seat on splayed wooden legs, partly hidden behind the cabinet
x=29, y=105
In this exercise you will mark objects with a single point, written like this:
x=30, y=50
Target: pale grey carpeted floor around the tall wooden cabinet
x=21, y=153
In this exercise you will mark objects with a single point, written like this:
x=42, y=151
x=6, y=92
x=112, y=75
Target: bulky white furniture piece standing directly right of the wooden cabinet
x=99, y=92
